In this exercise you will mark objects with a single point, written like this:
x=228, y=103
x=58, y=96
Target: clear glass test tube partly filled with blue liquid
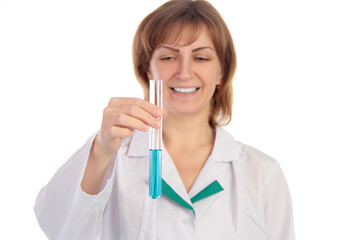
x=155, y=151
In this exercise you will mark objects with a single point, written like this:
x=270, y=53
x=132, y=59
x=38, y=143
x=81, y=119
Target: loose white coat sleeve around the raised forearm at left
x=63, y=210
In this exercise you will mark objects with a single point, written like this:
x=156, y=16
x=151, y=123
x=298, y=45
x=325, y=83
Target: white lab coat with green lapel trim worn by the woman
x=246, y=197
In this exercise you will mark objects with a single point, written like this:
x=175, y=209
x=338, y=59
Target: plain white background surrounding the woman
x=296, y=97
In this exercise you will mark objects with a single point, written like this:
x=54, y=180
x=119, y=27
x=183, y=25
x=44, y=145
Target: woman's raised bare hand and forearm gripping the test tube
x=121, y=118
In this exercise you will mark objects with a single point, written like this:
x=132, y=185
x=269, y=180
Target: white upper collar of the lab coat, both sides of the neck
x=226, y=148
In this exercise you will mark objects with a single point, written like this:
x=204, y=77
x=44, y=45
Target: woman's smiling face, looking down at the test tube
x=190, y=74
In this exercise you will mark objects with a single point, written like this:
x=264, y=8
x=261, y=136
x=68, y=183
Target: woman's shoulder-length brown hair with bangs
x=161, y=23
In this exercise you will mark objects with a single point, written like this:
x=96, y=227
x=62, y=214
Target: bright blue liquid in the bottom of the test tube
x=155, y=170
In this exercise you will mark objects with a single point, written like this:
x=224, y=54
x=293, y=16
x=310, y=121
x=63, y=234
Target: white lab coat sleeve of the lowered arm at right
x=278, y=206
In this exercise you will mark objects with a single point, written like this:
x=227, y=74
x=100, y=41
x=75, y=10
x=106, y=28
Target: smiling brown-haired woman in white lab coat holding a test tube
x=213, y=186
